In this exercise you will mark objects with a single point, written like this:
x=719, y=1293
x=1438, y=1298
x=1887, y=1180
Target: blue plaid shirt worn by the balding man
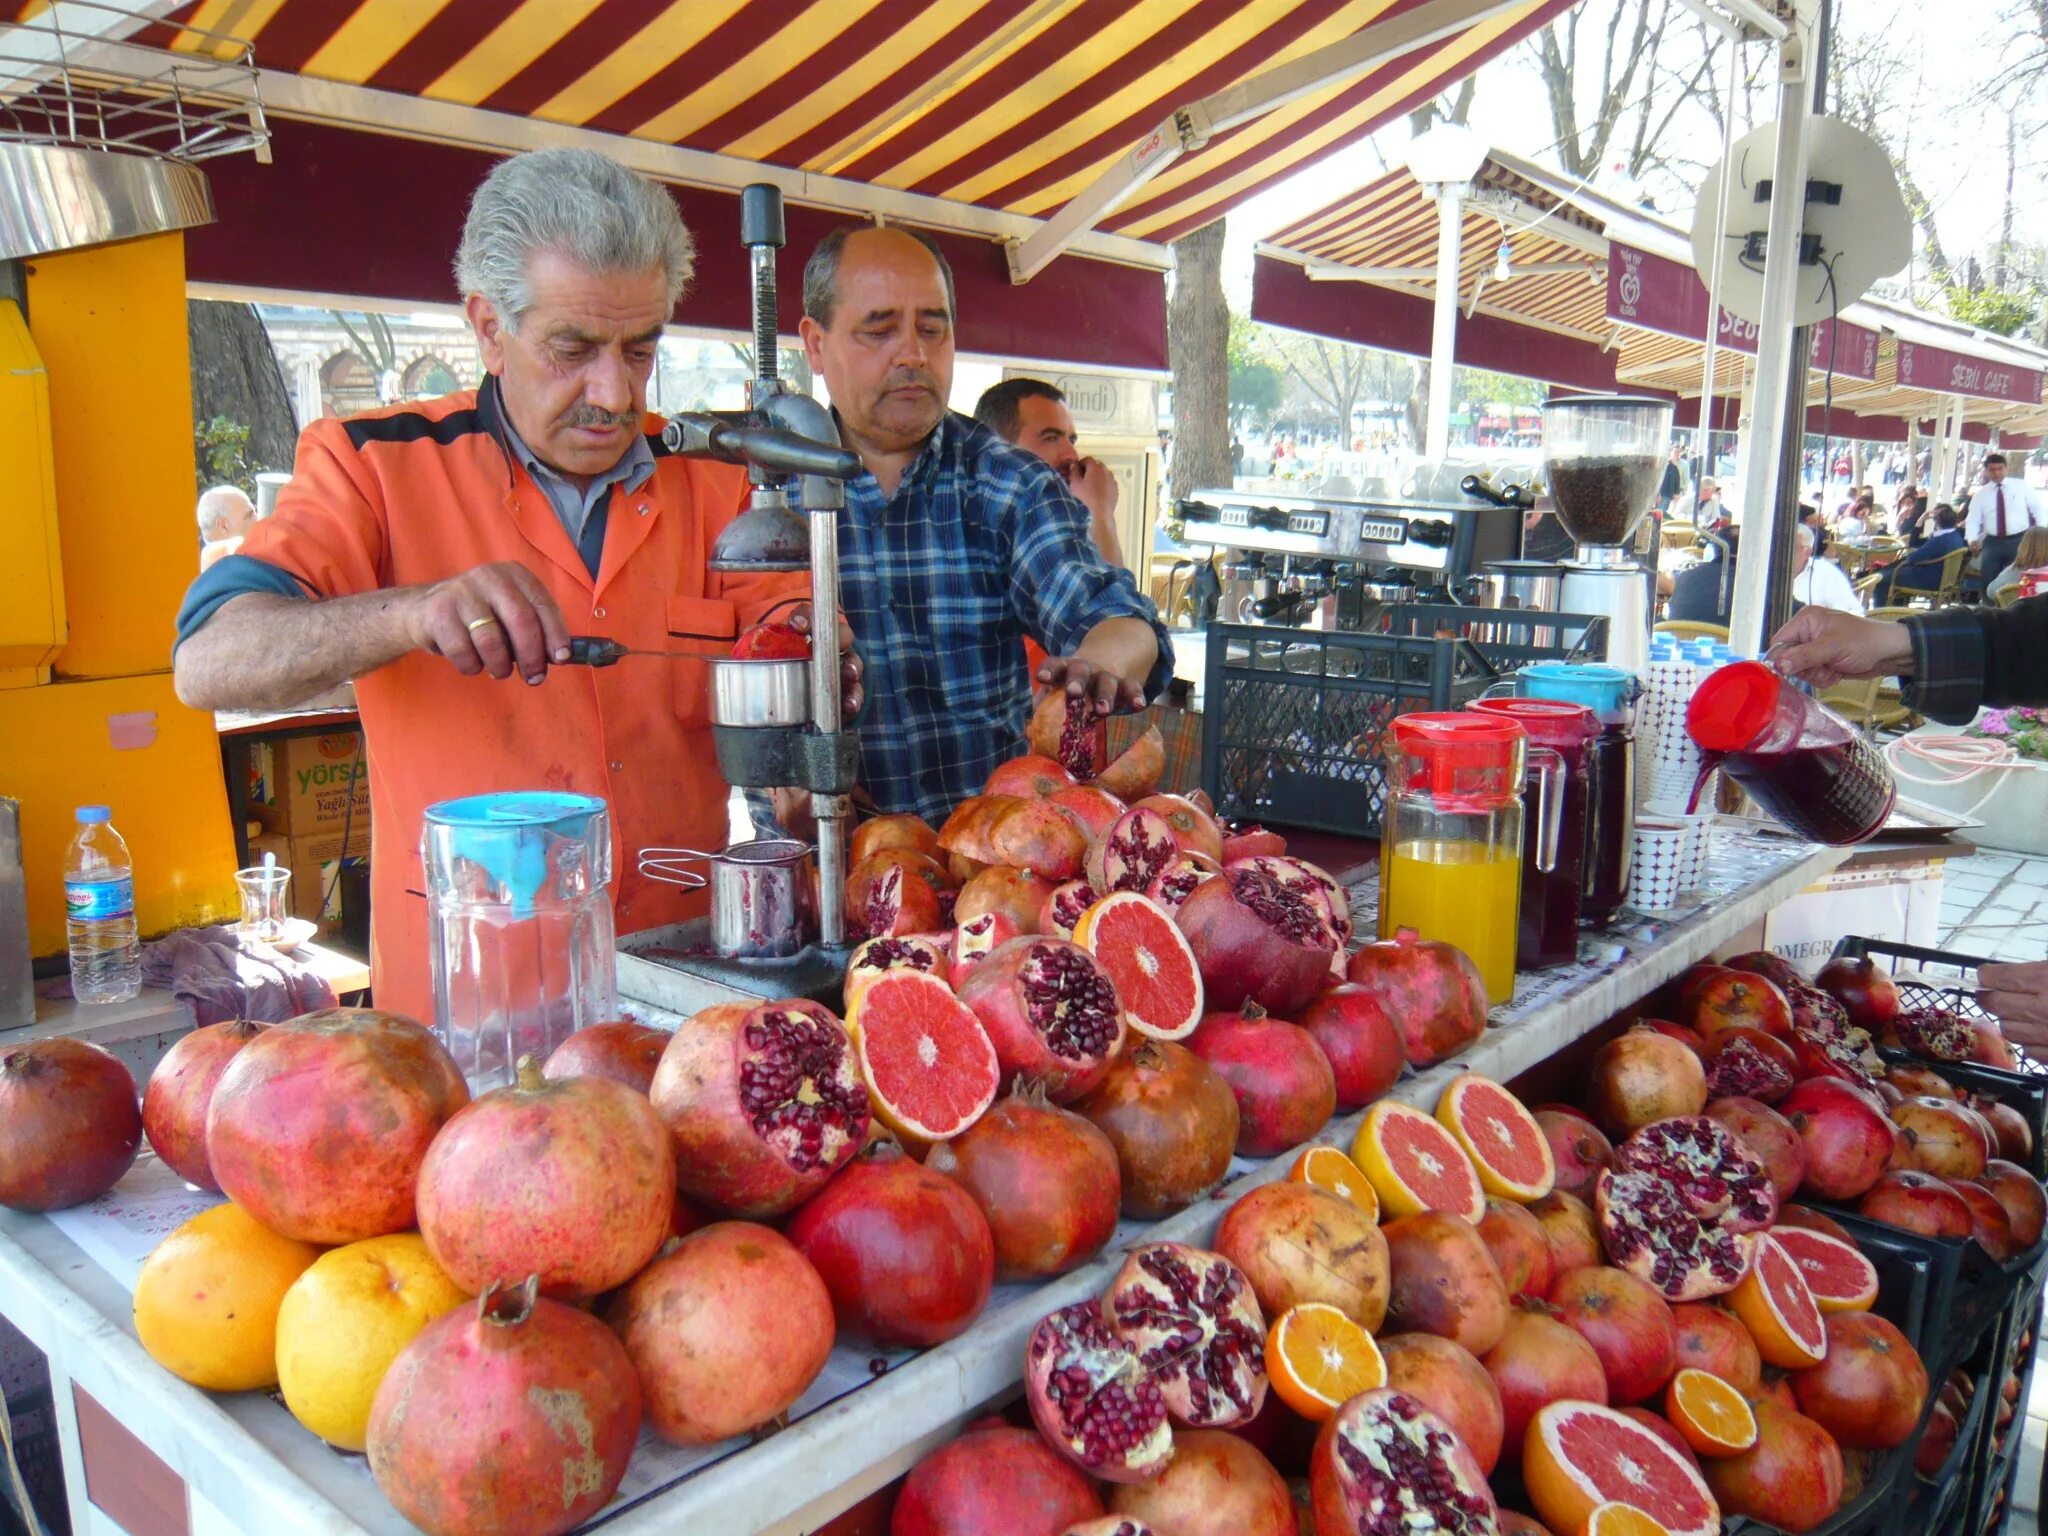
x=980, y=548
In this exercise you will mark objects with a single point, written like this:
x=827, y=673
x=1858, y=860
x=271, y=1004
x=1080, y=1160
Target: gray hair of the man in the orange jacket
x=574, y=202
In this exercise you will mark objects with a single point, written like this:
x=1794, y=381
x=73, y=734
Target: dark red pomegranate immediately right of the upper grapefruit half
x=1256, y=941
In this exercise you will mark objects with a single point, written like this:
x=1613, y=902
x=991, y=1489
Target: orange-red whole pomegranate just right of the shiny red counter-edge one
x=1043, y=1177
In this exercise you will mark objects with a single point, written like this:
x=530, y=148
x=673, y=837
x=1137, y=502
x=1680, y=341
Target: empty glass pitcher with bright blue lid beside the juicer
x=521, y=919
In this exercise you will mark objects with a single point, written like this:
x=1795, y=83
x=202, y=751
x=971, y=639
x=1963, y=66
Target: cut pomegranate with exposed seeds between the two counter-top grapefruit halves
x=1050, y=1011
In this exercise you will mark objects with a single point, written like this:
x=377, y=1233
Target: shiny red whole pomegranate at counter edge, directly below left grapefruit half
x=904, y=1252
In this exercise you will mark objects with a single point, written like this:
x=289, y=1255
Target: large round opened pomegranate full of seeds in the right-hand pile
x=1680, y=1207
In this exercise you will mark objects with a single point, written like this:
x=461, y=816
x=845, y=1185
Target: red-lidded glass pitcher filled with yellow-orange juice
x=1451, y=841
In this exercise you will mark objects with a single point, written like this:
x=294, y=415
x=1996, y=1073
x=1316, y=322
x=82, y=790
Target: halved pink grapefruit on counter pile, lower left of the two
x=929, y=1064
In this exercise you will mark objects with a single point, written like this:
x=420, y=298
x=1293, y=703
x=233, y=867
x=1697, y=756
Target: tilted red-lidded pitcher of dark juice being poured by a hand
x=1797, y=759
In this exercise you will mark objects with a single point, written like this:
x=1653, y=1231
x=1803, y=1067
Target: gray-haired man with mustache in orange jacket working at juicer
x=443, y=554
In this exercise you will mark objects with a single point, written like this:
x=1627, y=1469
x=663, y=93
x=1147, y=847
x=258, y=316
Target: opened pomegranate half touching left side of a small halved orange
x=1197, y=1326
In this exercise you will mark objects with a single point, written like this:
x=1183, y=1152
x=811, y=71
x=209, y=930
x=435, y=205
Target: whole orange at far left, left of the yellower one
x=208, y=1299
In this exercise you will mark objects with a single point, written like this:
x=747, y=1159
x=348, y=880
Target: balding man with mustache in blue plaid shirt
x=955, y=546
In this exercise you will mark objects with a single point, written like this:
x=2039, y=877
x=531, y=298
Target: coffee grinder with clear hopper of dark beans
x=1603, y=462
